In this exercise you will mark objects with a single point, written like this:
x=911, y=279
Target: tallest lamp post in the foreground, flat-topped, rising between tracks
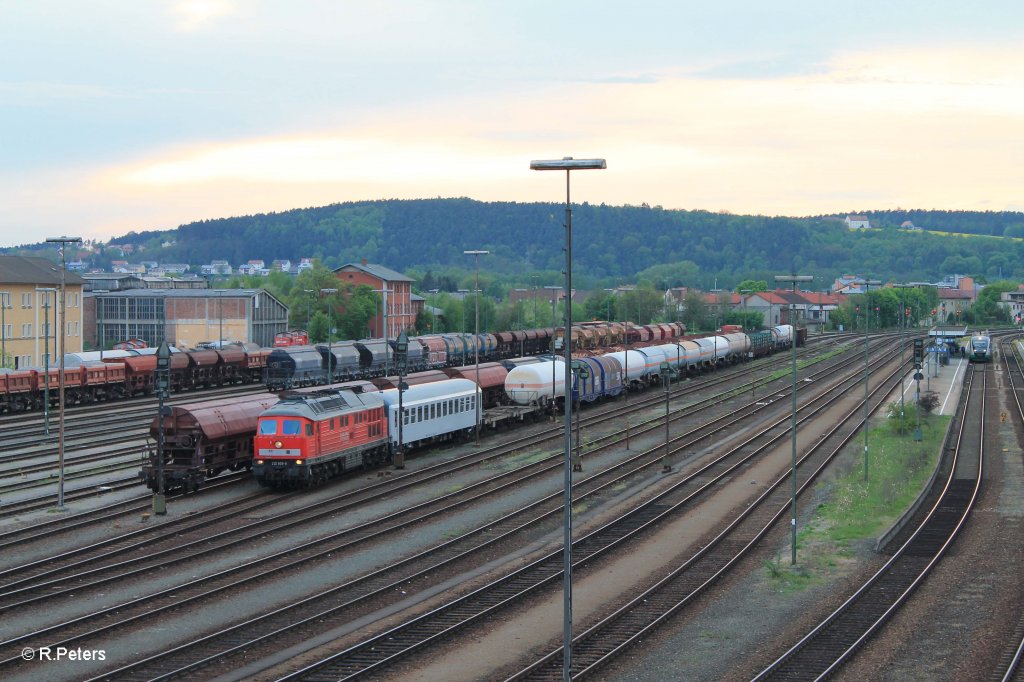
x=569, y=164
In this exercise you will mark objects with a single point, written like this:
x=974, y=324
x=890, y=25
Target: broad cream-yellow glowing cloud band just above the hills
x=901, y=127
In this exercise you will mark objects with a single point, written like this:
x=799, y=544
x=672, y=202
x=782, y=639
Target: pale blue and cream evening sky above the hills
x=137, y=115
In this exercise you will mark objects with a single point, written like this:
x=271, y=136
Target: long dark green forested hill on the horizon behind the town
x=612, y=244
